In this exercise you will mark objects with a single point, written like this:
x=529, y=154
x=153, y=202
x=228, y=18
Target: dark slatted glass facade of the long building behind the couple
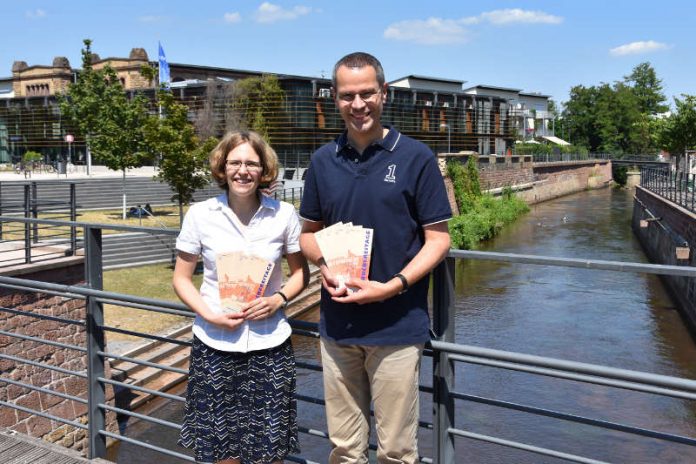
x=305, y=119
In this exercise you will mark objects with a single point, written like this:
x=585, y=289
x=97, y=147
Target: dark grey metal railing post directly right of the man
x=443, y=367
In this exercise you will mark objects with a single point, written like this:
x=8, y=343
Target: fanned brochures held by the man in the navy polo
x=346, y=249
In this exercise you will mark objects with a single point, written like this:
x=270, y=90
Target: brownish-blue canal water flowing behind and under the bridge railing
x=622, y=320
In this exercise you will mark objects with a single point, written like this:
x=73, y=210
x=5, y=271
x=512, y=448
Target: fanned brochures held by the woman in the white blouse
x=242, y=278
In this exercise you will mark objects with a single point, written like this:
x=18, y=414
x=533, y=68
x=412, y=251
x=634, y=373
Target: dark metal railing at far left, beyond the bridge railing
x=26, y=243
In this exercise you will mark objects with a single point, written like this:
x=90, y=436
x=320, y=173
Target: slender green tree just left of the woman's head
x=183, y=159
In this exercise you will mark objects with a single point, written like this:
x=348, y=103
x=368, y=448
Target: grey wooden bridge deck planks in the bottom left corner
x=16, y=448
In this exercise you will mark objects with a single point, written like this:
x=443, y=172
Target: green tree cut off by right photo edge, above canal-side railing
x=678, y=131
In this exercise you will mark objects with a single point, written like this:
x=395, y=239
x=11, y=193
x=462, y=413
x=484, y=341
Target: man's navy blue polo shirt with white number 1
x=395, y=188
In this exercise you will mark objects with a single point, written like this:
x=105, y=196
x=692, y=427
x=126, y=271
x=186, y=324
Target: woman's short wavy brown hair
x=231, y=140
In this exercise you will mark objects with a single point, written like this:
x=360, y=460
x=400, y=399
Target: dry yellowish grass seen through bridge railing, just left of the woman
x=152, y=281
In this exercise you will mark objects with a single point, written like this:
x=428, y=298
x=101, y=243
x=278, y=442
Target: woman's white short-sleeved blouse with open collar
x=209, y=228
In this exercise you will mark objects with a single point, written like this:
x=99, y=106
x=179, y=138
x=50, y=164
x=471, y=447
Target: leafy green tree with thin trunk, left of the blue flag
x=111, y=122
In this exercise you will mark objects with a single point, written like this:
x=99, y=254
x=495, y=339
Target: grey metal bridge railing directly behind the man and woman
x=447, y=356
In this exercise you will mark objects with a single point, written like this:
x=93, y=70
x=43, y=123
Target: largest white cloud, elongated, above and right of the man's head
x=438, y=31
